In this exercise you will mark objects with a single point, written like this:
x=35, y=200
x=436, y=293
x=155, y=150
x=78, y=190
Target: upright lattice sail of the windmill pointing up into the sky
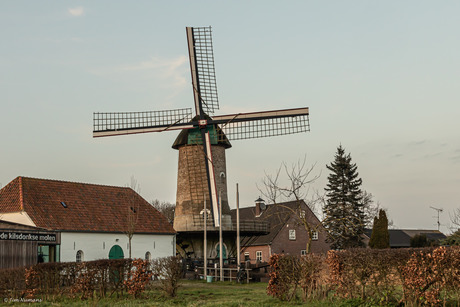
x=205, y=69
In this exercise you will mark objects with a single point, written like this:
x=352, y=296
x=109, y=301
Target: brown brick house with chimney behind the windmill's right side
x=287, y=235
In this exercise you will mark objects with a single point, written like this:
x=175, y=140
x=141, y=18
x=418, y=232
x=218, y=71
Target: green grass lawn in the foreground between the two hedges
x=191, y=293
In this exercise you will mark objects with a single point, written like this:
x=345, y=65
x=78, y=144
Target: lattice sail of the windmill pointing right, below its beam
x=266, y=127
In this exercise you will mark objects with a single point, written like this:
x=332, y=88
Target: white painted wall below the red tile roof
x=97, y=245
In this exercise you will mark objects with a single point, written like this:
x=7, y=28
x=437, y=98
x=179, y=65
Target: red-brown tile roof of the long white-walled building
x=90, y=207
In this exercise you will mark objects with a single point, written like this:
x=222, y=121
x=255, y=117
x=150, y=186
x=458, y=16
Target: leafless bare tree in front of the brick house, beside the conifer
x=297, y=190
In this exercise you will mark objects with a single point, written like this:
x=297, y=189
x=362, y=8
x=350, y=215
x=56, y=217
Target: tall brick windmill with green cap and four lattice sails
x=202, y=175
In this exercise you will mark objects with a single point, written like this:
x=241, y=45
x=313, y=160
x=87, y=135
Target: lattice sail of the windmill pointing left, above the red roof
x=138, y=122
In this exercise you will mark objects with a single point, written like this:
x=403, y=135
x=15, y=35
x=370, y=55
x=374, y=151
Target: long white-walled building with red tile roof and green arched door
x=90, y=220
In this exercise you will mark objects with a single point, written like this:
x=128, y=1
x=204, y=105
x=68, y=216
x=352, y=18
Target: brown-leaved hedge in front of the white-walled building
x=87, y=279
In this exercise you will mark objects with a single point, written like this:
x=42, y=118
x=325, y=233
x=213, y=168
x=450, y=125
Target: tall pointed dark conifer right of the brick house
x=343, y=210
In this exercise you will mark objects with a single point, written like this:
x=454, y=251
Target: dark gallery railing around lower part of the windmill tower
x=197, y=224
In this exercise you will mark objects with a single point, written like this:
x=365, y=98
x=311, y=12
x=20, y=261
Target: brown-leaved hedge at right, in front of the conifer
x=411, y=276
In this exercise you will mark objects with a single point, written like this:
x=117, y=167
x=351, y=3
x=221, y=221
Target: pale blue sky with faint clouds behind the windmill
x=380, y=78
